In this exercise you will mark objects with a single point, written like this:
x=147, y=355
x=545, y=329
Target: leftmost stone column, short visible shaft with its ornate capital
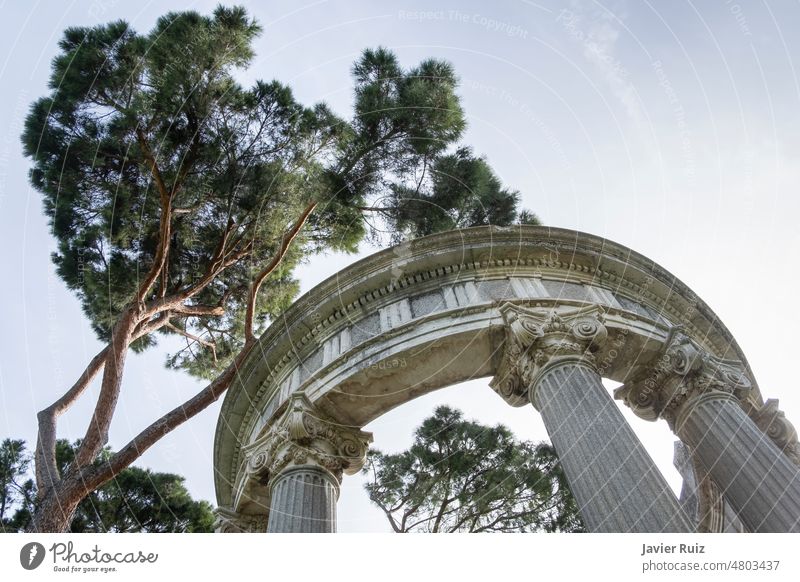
x=302, y=460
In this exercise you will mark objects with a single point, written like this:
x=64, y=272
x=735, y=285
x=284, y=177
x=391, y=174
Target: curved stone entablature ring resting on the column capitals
x=430, y=313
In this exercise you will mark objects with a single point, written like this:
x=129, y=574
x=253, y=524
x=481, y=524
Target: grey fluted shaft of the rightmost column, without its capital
x=756, y=478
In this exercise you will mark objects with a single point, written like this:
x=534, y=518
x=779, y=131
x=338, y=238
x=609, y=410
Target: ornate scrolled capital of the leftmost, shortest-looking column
x=302, y=436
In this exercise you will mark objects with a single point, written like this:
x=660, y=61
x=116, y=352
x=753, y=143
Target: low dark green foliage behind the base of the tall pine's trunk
x=137, y=500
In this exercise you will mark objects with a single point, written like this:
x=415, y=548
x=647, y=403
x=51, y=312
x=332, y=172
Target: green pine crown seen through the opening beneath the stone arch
x=461, y=476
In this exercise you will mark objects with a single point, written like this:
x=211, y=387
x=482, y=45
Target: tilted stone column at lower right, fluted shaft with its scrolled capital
x=702, y=397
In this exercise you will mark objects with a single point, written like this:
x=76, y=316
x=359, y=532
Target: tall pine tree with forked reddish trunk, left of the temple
x=181, y=201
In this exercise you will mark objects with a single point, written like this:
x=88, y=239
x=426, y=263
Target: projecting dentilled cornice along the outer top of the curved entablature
x=309, y=317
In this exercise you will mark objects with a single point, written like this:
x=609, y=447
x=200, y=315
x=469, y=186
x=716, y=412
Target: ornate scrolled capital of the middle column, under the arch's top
x=538, y=339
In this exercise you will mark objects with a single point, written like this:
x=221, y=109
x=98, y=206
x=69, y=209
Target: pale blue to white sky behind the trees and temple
x=670, y=127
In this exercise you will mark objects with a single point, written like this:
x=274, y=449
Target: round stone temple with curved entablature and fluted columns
x=546, y=313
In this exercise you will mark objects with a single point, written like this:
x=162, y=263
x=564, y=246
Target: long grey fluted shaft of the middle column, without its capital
x=617, y=485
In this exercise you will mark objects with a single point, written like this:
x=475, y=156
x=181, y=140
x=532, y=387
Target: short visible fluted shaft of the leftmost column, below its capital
x=303, y=501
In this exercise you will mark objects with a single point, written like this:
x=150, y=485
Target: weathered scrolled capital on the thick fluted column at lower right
x=682, y=372
